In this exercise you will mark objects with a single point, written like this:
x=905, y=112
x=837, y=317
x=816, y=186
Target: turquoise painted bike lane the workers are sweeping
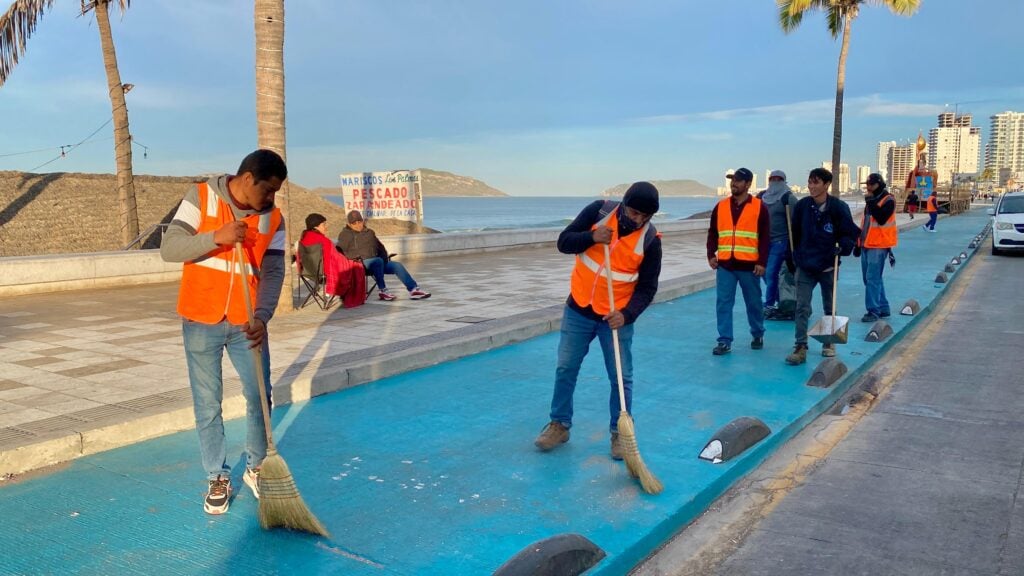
x=435, y=472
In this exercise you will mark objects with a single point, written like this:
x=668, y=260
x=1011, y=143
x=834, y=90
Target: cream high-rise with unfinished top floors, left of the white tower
x=955, y=147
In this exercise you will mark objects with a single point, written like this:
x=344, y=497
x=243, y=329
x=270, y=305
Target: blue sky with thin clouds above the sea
x=551, y=98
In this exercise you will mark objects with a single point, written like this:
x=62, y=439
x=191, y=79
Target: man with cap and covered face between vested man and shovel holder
x=779, y=200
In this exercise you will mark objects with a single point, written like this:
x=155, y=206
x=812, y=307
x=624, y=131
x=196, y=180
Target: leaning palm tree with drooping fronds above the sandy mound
x=18, y=24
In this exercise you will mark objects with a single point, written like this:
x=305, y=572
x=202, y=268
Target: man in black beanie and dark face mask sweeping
x=636, y=263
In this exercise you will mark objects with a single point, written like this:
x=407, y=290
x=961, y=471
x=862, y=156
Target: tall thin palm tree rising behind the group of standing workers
x=840, y=16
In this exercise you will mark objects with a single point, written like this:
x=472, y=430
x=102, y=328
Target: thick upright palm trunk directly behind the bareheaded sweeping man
x=270, y=19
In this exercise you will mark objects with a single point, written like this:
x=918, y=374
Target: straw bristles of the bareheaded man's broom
x=280, y=503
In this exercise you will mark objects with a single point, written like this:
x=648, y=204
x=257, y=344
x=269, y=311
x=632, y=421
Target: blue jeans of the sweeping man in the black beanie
x=577, y=335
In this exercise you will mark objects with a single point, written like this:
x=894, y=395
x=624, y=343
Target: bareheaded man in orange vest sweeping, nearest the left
x=211, y=219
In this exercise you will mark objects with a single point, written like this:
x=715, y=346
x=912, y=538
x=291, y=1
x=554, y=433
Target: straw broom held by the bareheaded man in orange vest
x=280, y=502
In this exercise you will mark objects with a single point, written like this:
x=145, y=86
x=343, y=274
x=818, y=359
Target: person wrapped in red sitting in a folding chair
x=325, y=268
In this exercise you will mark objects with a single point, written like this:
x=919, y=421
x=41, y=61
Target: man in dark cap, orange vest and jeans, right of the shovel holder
x=878, y=238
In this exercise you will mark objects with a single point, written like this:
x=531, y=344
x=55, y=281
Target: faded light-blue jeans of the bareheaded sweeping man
x=205, y=345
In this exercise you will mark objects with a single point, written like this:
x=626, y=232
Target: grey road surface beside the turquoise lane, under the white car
x=926, y=479
